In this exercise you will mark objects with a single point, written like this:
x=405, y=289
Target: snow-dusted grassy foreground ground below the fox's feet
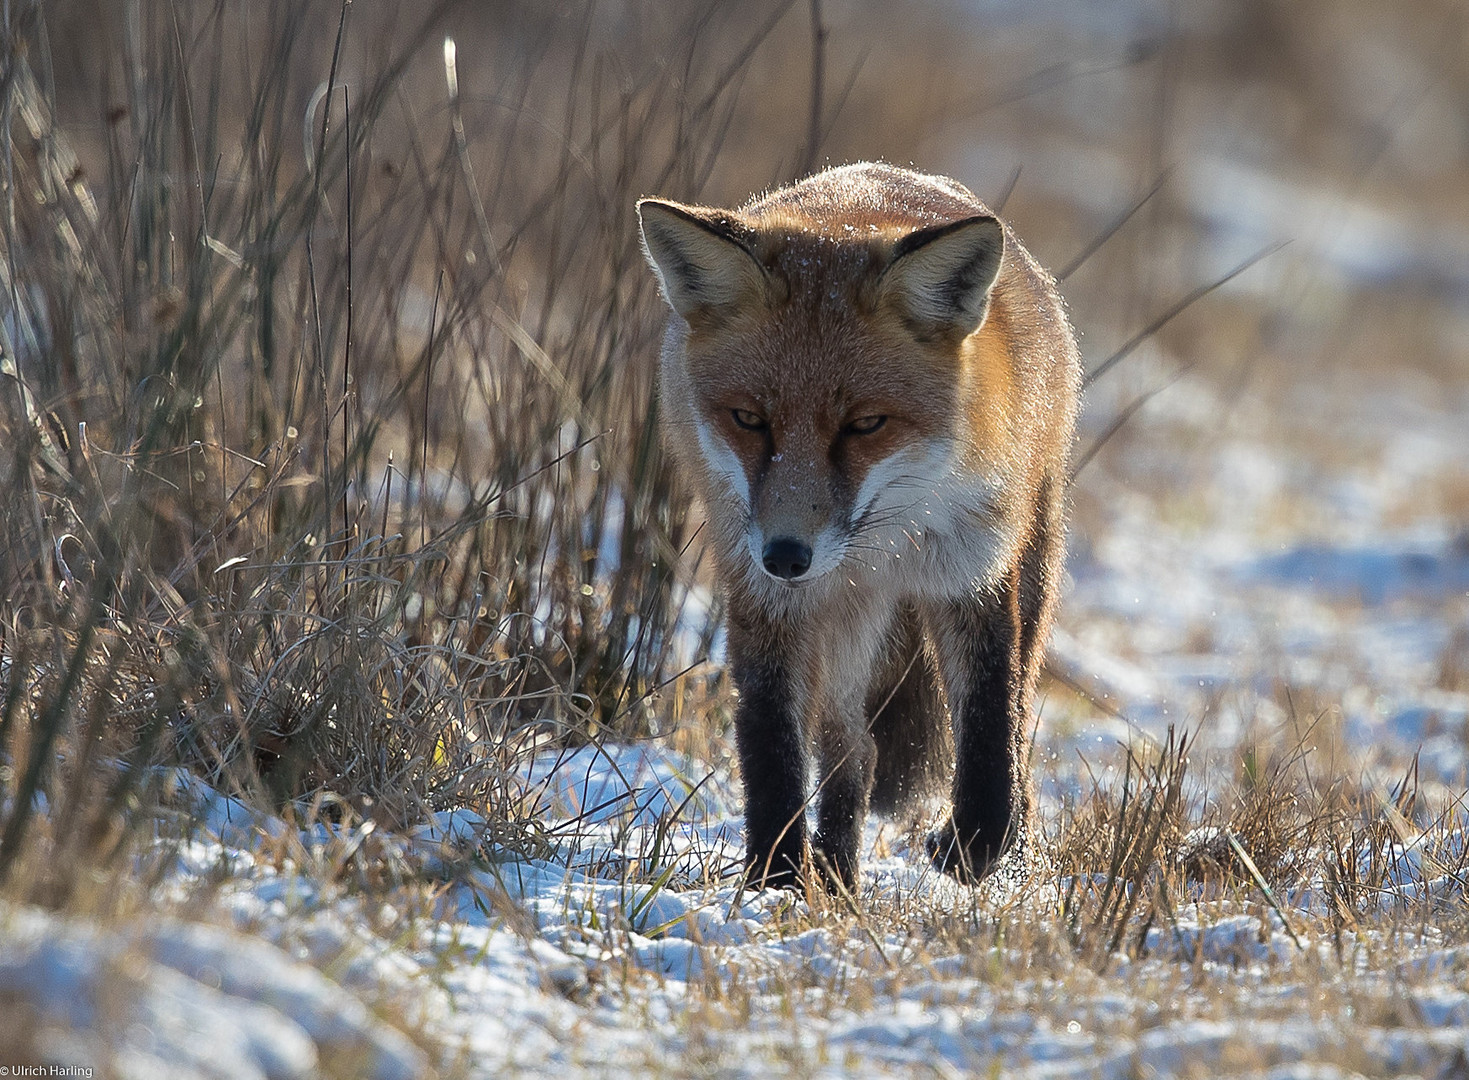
x=560, y=966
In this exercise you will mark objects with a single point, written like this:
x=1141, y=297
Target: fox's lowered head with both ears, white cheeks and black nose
x=820, y=372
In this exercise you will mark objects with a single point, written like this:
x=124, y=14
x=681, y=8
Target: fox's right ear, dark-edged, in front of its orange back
x=941, y=278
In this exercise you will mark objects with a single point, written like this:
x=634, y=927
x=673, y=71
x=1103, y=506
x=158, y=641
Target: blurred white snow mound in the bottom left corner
x=184, y=1000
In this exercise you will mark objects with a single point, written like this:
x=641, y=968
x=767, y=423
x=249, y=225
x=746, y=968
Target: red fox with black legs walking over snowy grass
x=873, y=389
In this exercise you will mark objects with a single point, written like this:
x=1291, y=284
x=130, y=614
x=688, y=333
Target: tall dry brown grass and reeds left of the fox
x=331, y=444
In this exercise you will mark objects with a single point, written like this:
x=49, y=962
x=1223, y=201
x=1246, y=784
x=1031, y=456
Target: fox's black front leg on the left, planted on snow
x=770, y=735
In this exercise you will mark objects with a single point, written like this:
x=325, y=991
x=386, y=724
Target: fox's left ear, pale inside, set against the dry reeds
x=703, y=267
